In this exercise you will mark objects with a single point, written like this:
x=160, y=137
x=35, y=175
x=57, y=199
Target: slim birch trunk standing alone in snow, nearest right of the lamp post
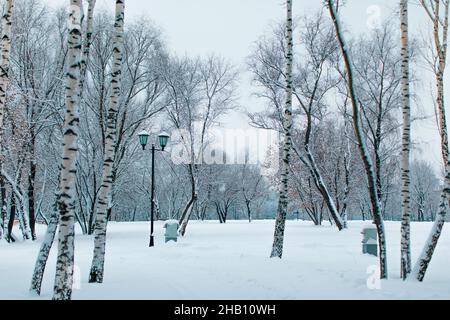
x=278, y=240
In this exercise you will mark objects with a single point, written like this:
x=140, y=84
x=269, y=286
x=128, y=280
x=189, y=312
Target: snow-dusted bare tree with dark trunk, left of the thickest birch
x=37, y=65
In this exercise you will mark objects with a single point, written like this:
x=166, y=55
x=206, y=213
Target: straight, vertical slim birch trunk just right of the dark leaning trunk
x=405, y=260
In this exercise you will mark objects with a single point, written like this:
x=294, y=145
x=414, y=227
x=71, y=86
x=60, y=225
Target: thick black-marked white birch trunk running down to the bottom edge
x=66, y=194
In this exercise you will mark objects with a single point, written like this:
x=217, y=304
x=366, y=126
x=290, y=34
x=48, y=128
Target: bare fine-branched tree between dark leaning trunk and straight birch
x=377, y=68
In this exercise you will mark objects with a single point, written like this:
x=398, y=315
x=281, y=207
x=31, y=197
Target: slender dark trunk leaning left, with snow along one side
x=368, y=164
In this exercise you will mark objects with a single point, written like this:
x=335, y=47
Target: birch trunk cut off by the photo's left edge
x=4, y=60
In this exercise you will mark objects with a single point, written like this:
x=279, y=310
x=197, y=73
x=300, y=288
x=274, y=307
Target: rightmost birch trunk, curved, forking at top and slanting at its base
x=440, y=40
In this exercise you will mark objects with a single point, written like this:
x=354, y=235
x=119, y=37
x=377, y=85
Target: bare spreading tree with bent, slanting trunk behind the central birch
x=312, y=82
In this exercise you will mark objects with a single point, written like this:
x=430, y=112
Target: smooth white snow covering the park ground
x=231, y=262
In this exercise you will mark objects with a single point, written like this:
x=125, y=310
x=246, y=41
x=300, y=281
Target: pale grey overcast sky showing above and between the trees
x=230, y=27
